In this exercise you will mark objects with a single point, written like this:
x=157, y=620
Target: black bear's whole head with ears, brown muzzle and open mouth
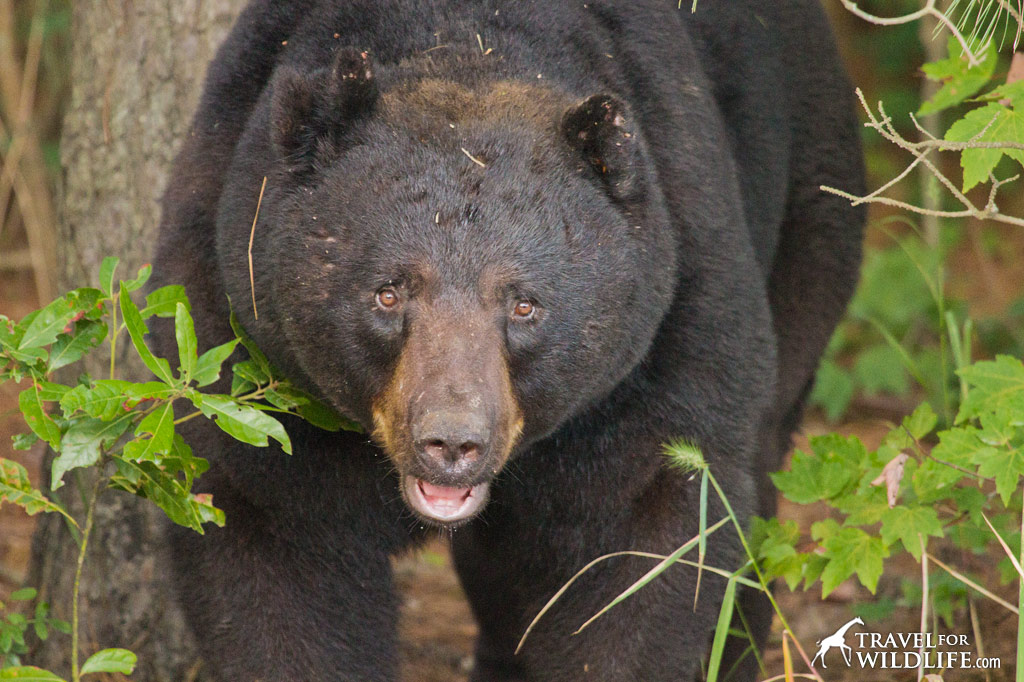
x=463, y=272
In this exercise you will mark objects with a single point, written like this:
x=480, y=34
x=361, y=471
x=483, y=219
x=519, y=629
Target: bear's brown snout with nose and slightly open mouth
x=449, y=418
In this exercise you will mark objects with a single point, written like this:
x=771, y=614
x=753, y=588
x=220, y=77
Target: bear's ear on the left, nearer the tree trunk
x=310, y=109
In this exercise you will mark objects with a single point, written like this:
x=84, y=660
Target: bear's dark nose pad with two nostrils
x=451, y=443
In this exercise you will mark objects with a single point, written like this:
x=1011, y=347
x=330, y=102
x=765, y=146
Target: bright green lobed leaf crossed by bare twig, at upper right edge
x=993, y=123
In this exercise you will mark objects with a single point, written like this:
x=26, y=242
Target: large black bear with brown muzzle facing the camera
x=524, y=244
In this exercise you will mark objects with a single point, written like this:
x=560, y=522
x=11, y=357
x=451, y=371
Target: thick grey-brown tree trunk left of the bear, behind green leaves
x=138, y=71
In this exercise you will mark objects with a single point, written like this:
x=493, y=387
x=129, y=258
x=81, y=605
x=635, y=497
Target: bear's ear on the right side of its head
x=601, y=129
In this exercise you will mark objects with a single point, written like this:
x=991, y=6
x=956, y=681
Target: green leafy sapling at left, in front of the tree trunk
x=125, y=432
